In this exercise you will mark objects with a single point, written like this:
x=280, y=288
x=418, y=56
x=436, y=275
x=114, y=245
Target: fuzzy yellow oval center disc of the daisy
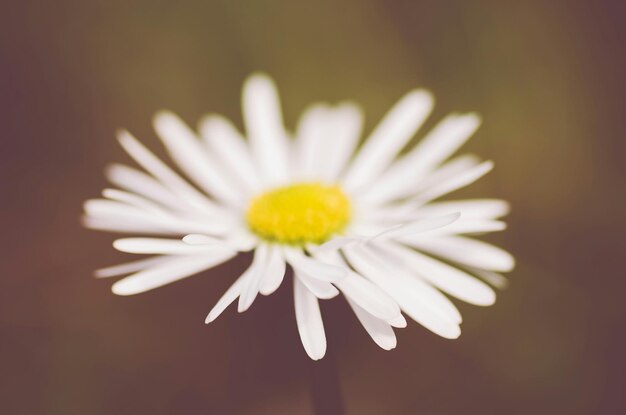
x=300, y=213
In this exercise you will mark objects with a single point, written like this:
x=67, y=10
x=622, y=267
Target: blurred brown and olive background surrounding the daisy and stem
x=547, y=78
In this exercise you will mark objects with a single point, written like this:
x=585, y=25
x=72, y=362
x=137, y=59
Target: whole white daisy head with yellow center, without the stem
x=361, y=222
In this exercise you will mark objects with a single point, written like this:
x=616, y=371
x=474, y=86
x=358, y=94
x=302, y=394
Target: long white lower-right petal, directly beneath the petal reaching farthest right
x=448, y=279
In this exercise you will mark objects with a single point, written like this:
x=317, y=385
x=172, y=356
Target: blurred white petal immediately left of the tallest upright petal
x=222, y=138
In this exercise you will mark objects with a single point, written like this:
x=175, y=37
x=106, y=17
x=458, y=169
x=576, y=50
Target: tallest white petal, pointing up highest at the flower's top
x=264, y=125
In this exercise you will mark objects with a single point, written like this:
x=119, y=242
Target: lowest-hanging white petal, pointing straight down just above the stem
x=309, y=320
